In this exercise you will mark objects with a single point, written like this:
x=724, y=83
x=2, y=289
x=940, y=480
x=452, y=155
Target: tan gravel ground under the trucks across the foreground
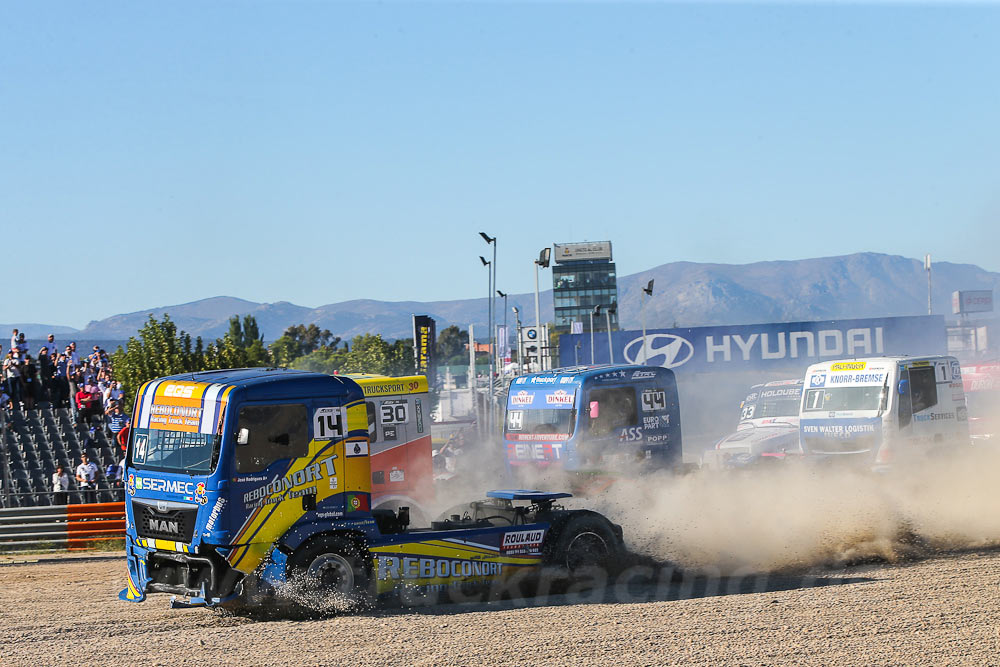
x=944, y=610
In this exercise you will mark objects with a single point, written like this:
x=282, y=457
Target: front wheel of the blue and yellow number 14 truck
x=330, y=574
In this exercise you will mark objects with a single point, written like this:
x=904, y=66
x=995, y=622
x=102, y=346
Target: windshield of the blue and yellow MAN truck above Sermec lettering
x=174, y=451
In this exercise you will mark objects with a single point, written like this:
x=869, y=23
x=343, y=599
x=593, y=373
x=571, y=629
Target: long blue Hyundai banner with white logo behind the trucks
x=762, y=347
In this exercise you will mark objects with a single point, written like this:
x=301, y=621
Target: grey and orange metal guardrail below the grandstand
x=60, y=527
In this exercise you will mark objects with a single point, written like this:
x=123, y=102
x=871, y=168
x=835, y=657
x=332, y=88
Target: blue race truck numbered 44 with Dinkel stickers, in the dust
x=587, y=417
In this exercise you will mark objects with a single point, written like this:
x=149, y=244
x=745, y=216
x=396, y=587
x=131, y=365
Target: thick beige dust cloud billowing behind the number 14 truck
x=800, y=515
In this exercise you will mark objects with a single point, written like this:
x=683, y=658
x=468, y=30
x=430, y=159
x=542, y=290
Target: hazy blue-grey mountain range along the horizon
x=685, y=294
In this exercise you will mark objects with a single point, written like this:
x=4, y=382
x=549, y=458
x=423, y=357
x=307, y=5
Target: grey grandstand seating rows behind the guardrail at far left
x=35, y=442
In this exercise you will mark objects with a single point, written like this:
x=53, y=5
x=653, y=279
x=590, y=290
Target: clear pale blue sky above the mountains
x=319, y=152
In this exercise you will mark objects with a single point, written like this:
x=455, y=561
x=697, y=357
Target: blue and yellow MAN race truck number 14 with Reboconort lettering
x=240, y=482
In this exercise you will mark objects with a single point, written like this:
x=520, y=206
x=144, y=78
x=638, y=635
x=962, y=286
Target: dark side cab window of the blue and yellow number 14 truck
x=269, y=433
